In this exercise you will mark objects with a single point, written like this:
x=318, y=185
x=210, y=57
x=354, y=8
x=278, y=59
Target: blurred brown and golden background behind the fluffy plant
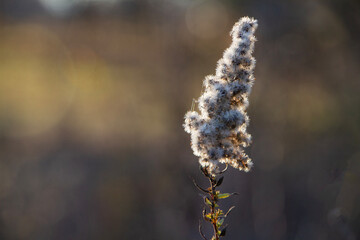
x=92, y=99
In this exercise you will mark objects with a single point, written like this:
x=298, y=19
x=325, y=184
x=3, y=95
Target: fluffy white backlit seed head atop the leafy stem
x=219, y=130
